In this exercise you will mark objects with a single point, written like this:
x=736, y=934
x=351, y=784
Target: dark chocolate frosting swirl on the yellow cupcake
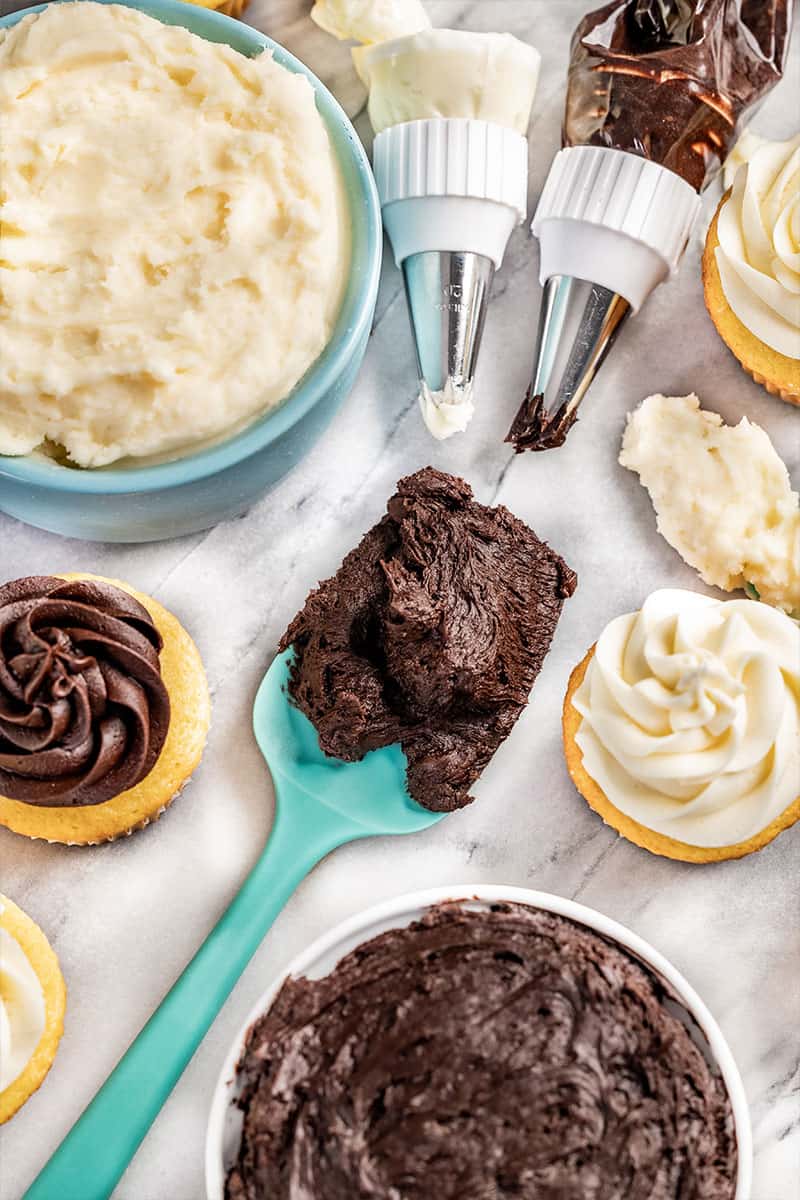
x=85, y=712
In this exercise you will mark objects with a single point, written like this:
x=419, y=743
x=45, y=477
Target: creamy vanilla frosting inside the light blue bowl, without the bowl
x=175, y=237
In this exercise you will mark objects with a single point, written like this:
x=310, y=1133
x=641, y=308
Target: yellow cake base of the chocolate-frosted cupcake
x=184, y=676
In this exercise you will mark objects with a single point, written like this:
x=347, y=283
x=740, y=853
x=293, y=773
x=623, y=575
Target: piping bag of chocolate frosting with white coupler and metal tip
x=657, y=91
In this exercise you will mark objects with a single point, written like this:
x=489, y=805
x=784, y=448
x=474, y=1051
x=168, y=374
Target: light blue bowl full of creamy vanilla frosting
x=190, y=262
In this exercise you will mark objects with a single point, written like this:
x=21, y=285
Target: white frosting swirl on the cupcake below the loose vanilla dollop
x=691, y=717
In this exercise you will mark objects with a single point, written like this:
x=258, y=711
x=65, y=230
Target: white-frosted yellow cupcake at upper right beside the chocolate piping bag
x=751, y=267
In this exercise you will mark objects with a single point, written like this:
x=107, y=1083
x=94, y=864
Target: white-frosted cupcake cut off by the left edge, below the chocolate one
x=33, y=1001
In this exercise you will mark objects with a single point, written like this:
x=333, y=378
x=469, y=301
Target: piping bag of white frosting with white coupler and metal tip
x=450, y=111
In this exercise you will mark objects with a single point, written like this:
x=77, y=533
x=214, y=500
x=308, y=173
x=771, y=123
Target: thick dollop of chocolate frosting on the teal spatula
x=431, y=634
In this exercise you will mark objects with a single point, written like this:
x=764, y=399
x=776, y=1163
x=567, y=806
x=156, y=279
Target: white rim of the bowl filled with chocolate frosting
x=407, y=908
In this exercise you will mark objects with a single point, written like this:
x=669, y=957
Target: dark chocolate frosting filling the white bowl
x=510, y=1054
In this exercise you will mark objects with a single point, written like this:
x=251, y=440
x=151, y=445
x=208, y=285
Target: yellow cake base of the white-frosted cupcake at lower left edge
x=45, y=963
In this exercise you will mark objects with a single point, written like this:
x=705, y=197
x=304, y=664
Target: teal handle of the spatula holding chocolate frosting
x=93, y=1157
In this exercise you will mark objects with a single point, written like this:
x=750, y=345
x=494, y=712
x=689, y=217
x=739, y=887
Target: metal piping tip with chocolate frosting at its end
x=579, y=325
